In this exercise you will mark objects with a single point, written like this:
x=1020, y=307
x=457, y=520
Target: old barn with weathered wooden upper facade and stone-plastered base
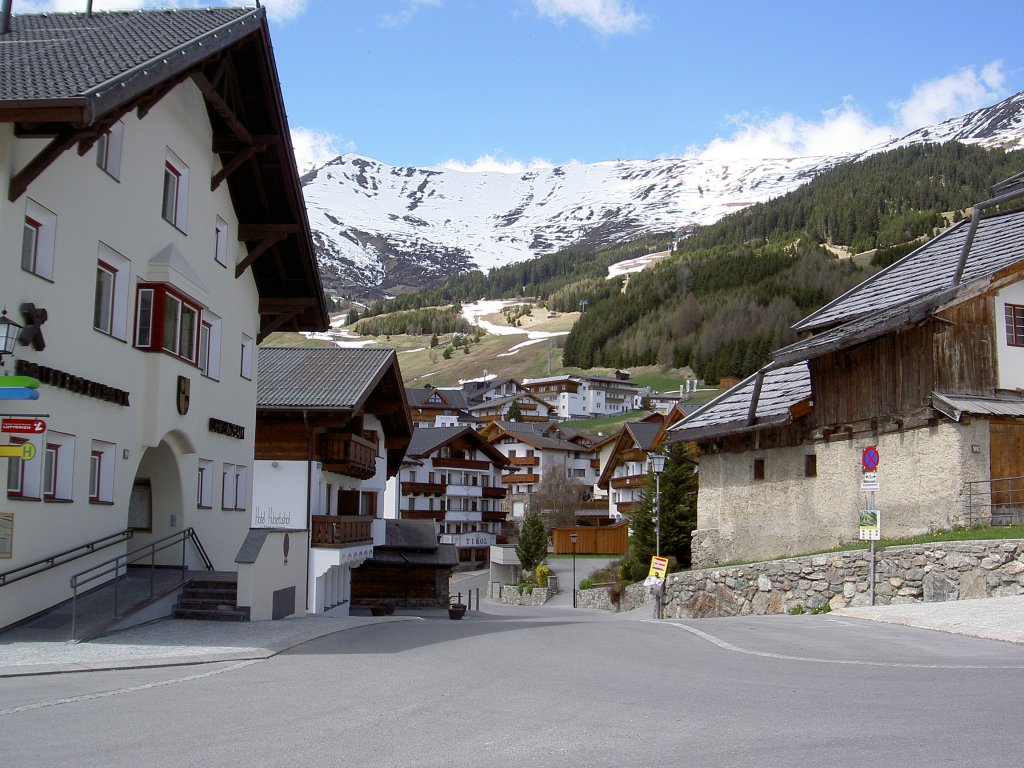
x=924, y=361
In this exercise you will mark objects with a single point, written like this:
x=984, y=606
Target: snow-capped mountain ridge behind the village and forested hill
x=381, y=230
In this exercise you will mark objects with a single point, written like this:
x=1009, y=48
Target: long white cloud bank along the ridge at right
x=847, y=130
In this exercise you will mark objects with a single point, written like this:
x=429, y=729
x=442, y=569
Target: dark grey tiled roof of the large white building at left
x=106, y=59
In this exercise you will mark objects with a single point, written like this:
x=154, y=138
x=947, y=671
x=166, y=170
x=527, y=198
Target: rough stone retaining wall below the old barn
x=924, y=573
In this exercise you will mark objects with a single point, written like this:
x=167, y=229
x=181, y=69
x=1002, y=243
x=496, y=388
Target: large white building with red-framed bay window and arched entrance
x=161, y=234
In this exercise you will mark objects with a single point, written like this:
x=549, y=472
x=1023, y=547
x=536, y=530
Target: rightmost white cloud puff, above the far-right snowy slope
x=955, y=95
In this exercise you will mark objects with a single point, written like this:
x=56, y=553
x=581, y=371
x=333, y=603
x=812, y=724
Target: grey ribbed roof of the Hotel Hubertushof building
x=319, y=377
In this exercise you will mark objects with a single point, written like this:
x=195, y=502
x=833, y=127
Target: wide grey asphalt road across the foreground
x=545, y=688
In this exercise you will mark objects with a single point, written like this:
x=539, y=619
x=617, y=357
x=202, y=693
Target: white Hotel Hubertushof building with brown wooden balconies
x=332, y=426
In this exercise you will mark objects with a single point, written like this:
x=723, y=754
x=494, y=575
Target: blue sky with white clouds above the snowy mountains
x=506, y=84
